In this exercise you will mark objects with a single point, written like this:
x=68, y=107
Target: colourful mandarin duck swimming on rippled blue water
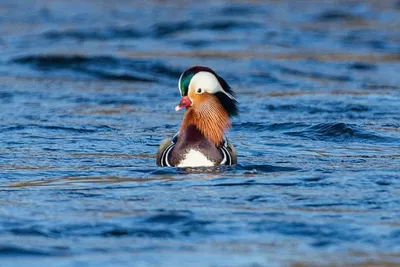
x=201, y=142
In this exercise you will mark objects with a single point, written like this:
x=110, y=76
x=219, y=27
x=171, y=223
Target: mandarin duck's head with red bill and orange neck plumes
x=209, y=102
